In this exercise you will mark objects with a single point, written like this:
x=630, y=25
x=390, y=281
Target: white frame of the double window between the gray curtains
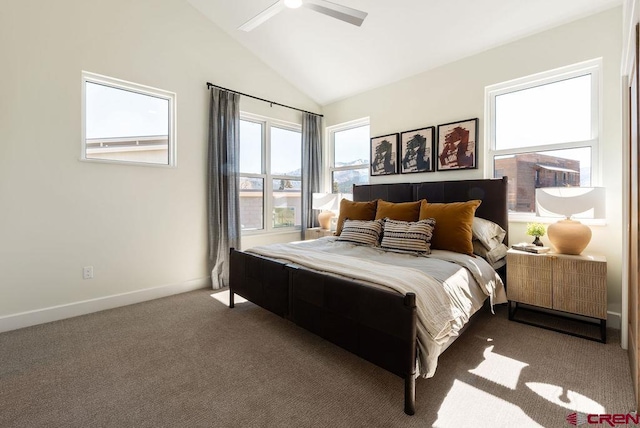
x=267, y=206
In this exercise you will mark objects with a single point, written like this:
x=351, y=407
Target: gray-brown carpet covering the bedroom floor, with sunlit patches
x=189, y=361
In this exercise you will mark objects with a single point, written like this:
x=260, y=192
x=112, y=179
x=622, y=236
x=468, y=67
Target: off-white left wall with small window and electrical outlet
x=140, y=227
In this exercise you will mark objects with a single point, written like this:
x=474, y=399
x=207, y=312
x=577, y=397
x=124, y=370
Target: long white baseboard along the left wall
x=55, y=313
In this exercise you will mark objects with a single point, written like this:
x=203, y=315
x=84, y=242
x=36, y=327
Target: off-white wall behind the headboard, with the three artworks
x=456, y=91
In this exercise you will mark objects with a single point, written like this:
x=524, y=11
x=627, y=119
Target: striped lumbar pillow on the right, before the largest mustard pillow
x=414, y=237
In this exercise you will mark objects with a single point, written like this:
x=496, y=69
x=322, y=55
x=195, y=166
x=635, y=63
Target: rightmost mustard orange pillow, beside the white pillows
x=453, y=230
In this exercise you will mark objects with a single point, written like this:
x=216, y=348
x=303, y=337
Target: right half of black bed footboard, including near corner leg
x=373, y=323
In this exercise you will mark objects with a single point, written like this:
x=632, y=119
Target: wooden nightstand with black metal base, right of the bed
x=559, y=282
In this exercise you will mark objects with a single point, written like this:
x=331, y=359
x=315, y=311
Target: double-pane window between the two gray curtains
x=270, y=174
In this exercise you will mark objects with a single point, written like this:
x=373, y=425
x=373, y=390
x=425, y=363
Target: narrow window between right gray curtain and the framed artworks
x=349, y=155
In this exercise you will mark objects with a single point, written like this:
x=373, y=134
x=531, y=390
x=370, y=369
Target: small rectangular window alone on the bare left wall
x=126, y=122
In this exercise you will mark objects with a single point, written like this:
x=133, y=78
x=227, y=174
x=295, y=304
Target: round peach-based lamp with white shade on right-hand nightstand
x=569, y=236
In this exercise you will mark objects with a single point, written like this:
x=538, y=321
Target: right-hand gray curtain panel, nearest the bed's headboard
x=311, y=166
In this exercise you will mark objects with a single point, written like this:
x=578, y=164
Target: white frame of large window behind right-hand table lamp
x=591, y=67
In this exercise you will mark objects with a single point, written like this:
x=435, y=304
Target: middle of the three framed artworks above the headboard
x=416, y=150
